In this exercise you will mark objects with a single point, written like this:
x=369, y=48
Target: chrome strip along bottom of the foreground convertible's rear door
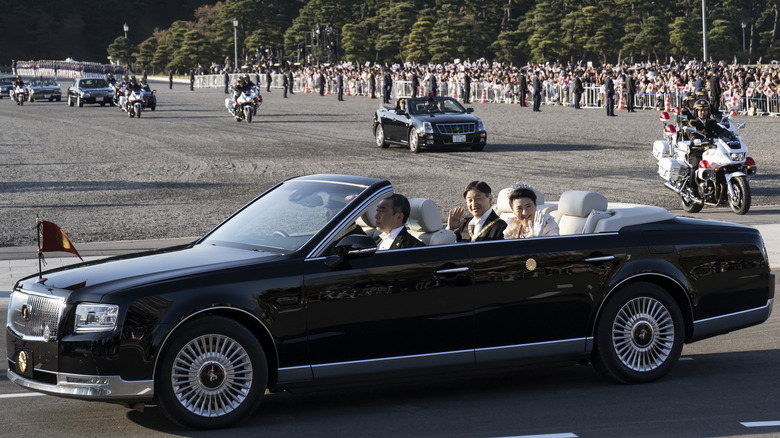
x=565, y=347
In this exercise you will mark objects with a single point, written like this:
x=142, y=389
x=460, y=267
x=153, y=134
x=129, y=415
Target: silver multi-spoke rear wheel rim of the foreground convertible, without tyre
x=643, y=334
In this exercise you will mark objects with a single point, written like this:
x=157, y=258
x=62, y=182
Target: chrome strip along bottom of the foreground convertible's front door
x=401, y=363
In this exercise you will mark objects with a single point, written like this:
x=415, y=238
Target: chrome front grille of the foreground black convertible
x=35, y=316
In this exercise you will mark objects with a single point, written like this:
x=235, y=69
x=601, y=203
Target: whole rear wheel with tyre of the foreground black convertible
x=639, y=335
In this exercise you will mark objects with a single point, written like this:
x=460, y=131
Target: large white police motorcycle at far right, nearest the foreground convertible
x=722, y=174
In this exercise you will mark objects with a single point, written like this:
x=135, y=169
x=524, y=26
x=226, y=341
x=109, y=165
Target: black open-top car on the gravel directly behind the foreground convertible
x=429, y=122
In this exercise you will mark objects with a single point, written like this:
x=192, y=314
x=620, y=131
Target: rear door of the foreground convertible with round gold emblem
x=535, y=298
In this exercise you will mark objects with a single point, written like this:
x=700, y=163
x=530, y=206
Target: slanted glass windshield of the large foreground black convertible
x=286, y=218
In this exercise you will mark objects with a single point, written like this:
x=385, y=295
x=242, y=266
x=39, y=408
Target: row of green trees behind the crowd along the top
x=437, y=31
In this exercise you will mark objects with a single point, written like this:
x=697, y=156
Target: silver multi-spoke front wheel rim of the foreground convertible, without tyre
x=211, y=375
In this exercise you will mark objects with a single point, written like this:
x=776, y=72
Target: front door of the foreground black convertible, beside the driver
x=390, y=311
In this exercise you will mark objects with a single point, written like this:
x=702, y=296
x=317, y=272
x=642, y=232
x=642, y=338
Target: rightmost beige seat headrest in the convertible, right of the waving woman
x=579, y=211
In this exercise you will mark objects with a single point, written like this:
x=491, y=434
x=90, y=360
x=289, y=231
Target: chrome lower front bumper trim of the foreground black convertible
x=89, y=387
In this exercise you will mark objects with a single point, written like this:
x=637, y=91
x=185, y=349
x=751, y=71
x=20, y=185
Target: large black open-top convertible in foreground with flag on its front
x=291, y=290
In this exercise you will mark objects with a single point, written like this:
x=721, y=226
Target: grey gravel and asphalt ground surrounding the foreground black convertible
x=177, y=171
